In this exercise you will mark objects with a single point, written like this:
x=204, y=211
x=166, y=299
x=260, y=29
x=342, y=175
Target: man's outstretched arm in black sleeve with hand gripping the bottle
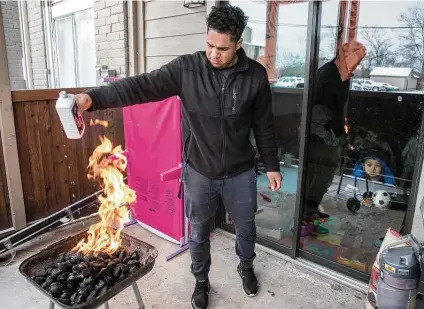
x=148, y=87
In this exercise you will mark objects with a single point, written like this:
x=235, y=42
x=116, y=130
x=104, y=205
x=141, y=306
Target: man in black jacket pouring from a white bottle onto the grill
x=225, y=95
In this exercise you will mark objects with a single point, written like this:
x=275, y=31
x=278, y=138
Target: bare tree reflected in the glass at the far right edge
x=413, y=40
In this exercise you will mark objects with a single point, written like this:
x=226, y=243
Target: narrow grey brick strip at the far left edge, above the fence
x=12, y=33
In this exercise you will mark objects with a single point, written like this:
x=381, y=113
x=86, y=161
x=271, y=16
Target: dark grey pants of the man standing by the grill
x=201, y=201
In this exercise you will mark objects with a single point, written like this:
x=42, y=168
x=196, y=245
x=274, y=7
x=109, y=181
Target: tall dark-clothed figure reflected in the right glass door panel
x=328, y=137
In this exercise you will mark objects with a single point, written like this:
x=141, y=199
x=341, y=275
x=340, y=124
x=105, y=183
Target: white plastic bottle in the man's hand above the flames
x=67, y=109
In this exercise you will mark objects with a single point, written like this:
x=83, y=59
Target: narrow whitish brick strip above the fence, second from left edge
x=37, y=44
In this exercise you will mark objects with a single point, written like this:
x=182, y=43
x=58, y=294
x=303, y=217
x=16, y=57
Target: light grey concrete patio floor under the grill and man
x=169, y=285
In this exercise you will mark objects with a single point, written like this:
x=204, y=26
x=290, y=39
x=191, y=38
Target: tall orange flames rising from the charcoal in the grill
x=108, y=165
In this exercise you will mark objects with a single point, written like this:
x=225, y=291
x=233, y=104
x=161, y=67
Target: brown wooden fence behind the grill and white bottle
x=53, y=168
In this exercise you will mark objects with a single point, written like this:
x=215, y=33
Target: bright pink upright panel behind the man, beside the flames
x=154, y=146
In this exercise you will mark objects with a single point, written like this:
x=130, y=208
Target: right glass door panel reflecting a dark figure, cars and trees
x=363, y=139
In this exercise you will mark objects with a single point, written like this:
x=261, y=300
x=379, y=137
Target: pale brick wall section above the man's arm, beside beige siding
x=111, y=35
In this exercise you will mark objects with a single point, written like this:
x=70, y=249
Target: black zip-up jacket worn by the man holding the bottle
x=216, y=117
